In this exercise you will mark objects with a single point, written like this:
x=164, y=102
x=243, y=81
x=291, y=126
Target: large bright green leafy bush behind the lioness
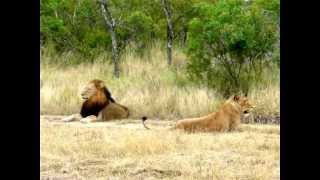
x=229, y=43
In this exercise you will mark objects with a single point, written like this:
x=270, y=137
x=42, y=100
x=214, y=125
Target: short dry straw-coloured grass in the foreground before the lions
x=124, y=150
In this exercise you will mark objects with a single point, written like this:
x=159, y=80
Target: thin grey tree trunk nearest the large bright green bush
x=168, y=13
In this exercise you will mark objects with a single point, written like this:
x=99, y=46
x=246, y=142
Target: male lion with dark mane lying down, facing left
x=98, y=105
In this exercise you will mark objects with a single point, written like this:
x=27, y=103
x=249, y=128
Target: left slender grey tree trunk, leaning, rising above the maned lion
x=112, y=29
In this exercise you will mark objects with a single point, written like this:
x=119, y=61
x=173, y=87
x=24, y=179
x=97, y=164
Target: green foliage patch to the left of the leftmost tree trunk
x=69, y=25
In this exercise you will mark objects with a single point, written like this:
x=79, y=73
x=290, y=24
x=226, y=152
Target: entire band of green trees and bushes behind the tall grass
x=231, y=45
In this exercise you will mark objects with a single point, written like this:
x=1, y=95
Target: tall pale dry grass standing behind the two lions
x=147, y=86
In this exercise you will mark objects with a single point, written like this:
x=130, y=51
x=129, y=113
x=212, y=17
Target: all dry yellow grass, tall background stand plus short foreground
x=125, y=150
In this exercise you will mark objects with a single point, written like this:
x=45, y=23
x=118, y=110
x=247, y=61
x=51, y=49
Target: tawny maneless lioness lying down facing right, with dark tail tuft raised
x=227, y=118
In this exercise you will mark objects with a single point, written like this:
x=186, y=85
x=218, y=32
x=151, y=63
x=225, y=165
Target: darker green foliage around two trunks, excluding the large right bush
x=76, y=25
